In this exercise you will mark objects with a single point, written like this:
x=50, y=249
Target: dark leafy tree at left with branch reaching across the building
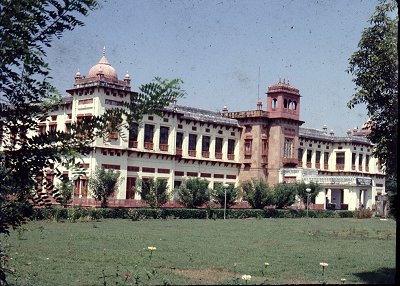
x=27, y=29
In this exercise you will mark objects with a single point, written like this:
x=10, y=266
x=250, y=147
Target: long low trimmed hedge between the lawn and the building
x=78, y=213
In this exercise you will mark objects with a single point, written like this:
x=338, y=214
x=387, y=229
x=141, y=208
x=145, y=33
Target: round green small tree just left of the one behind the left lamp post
x=193, y=192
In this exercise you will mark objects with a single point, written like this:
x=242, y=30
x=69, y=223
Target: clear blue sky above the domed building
x=227, y=52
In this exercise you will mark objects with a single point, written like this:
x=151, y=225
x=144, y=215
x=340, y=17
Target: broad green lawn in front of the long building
x=202, y=252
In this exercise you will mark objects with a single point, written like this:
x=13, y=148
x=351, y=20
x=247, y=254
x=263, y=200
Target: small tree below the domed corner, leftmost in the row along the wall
x=102, y=184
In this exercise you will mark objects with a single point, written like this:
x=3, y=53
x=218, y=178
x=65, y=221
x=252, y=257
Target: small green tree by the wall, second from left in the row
x=154, y=191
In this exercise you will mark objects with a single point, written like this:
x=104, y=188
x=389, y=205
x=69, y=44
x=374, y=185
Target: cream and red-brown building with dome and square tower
x=222, y=147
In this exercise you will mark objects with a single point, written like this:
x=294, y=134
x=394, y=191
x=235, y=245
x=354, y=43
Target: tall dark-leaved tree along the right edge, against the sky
x=374, y=67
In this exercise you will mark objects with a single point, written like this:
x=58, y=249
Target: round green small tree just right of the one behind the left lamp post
x=257, y=193
